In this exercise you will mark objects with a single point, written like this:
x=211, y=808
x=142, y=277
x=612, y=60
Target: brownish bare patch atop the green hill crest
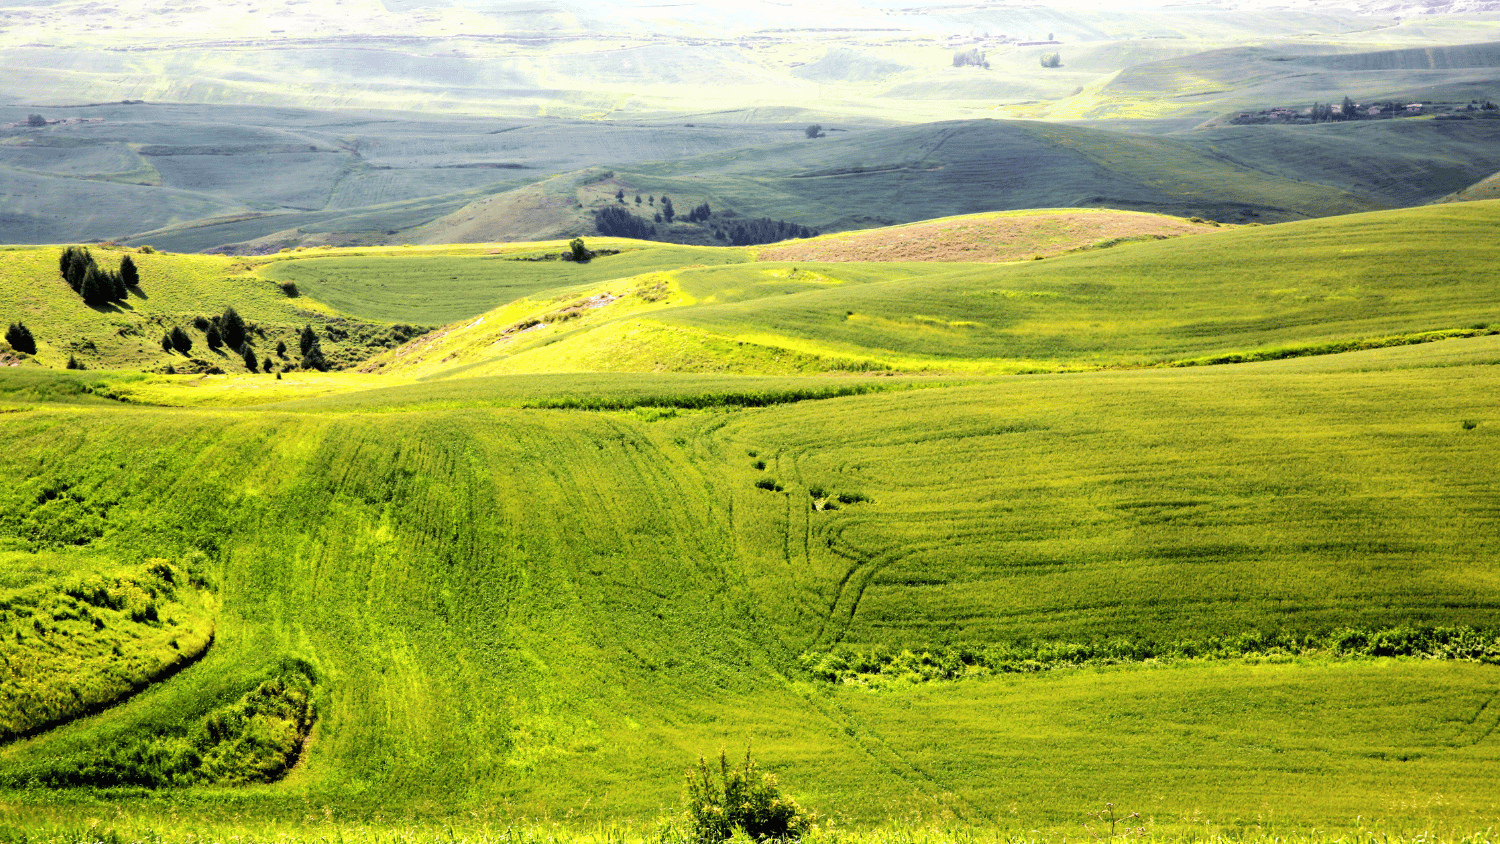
x=991, y=238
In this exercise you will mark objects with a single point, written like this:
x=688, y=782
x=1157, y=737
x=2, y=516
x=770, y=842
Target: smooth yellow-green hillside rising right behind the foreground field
x=1400, y=275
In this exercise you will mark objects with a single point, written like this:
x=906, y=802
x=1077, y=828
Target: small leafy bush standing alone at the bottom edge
x=740, y=798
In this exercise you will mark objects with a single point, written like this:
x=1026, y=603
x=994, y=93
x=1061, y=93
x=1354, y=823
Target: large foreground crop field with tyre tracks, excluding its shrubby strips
x=548, y=614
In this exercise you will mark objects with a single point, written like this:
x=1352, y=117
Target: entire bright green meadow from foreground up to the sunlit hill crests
x=517, y=576
